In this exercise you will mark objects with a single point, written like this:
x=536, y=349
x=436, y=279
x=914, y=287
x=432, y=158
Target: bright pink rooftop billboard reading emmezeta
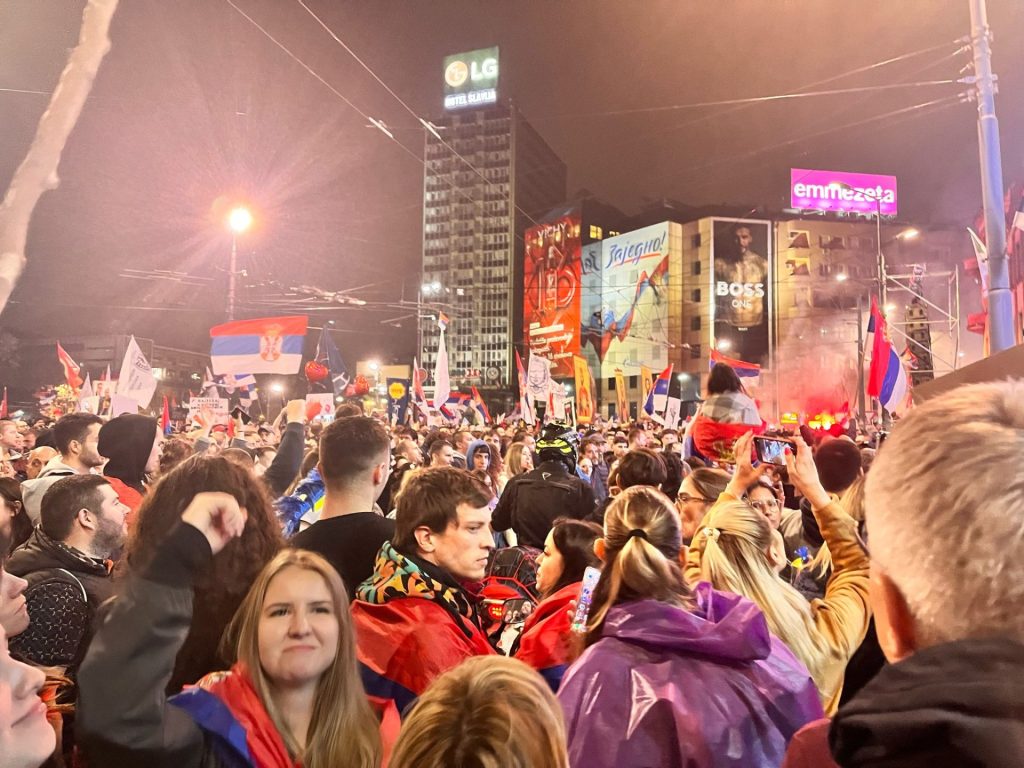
x=836, y=191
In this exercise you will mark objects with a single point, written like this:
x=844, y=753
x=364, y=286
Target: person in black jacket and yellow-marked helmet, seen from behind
x=532, y=502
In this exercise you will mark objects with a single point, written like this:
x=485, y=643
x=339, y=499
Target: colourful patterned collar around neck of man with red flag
x=397, y=576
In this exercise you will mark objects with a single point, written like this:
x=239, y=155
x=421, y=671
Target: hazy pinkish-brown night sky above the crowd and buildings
x=194, y=105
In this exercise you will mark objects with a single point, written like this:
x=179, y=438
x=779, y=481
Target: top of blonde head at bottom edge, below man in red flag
x=489, y=712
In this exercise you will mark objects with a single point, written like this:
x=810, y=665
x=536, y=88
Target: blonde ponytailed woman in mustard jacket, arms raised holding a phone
x=735, y=551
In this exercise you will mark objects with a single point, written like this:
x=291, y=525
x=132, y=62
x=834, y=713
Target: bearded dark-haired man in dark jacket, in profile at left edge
x=66, y=566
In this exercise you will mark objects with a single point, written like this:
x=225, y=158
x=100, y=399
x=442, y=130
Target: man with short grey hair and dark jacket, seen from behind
x=947, y=576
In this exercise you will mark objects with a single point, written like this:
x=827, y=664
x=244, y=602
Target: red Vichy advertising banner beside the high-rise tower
x=551, y=292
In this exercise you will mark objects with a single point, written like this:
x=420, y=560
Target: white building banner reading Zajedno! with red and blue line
x=633, y=321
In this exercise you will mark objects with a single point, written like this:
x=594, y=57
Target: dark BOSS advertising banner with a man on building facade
x=742, y=284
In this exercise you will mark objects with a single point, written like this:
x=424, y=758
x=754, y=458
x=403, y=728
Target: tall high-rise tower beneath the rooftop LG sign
x=489, y=176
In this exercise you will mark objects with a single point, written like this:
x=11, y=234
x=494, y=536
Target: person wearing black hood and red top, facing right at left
x=130, y=444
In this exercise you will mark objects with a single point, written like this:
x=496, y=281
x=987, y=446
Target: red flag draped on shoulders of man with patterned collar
x=405, y=644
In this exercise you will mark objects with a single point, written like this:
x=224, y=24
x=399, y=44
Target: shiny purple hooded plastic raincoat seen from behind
x=677, y=690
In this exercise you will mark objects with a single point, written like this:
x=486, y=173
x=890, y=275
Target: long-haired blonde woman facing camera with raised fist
x=293, y=698
